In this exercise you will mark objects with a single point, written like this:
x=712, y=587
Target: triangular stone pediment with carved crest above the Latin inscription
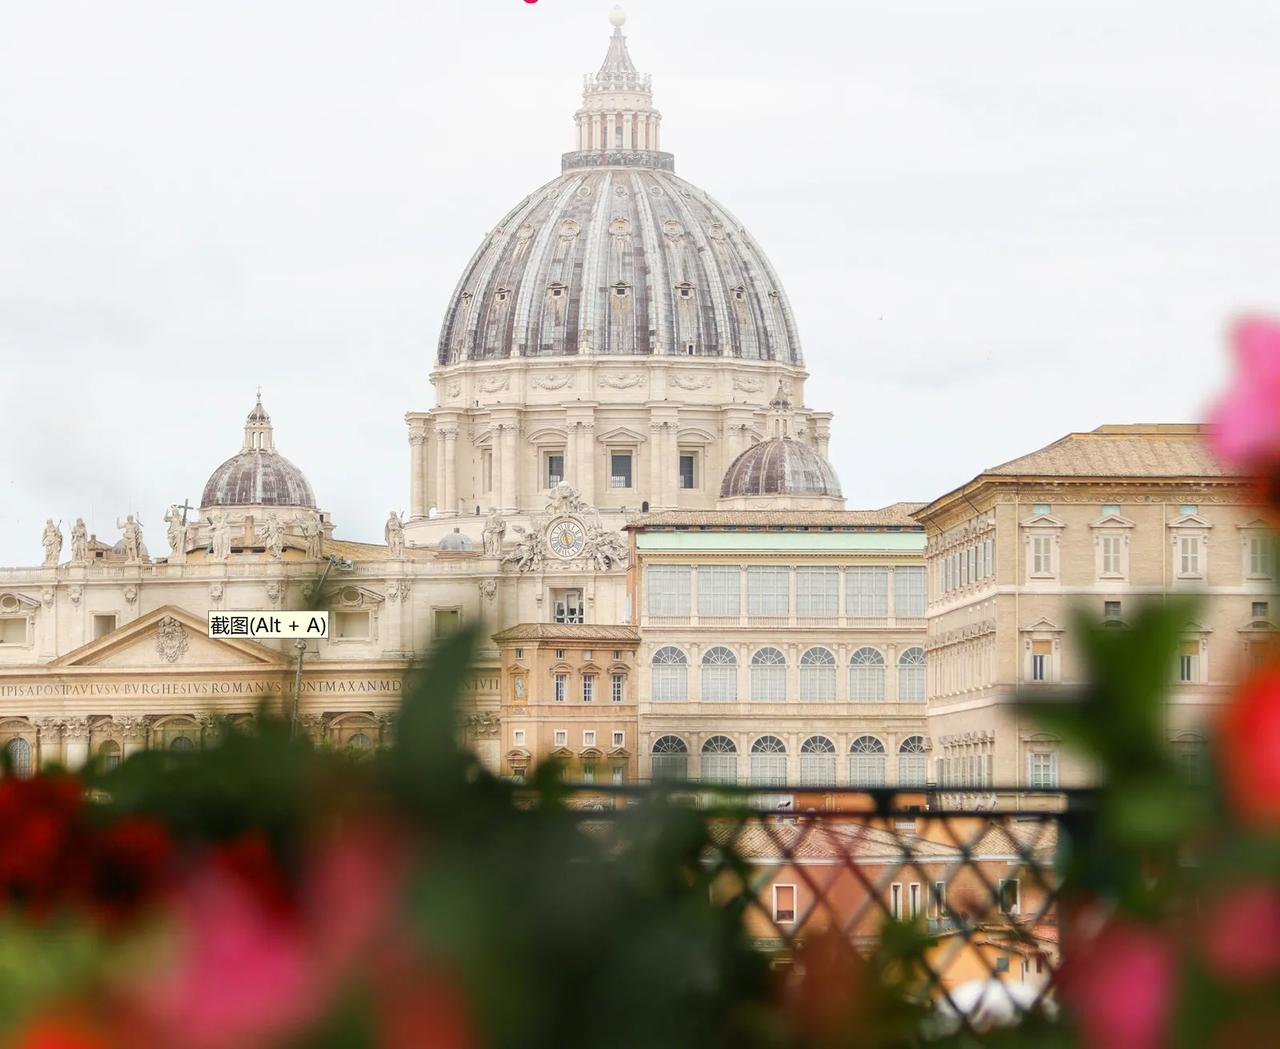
x=170, y=636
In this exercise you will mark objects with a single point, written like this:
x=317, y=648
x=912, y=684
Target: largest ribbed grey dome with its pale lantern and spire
x=619, y=255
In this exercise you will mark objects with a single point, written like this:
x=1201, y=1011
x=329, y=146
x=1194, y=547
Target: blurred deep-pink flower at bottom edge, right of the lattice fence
x=1121, y=984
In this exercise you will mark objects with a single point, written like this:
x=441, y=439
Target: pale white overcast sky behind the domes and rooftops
x=998, y=222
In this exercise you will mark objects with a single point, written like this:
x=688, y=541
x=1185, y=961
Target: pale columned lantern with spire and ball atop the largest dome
x=618, y=125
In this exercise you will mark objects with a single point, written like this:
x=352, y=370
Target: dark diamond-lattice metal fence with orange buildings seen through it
x=979, y=890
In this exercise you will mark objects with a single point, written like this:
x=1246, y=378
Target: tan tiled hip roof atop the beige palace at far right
x=1128, y=451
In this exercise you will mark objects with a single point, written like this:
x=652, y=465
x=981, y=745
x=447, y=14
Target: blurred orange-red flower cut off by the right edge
x=1250, y=740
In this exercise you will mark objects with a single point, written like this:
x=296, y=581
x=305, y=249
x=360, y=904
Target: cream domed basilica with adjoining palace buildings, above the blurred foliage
x=623, y=482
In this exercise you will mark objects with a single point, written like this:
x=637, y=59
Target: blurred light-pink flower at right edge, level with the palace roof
x=1247, y=422
